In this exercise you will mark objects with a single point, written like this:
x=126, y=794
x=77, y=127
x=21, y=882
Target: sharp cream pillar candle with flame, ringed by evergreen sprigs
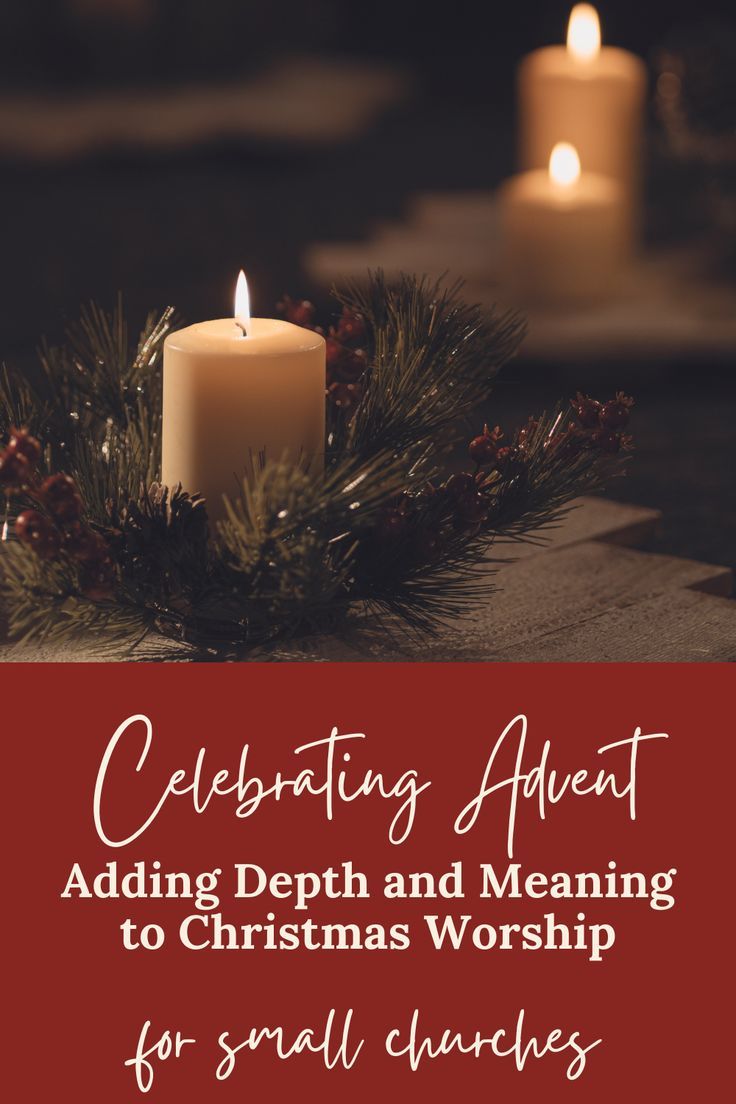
x=239, y=392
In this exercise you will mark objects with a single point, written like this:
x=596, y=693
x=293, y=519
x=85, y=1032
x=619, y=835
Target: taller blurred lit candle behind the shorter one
x=594, y=97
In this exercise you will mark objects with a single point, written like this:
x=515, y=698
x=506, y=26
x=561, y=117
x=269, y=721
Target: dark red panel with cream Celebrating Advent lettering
x=228, y=883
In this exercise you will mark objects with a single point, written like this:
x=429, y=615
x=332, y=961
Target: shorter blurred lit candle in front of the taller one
x=562, y=233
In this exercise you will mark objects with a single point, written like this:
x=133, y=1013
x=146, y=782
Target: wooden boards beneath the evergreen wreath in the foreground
x=588, y=595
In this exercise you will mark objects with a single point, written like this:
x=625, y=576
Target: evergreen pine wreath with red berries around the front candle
x=94, y=545
